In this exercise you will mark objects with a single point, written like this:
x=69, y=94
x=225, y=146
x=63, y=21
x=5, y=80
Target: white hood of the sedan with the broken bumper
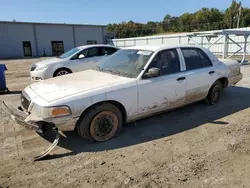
x=71, y=84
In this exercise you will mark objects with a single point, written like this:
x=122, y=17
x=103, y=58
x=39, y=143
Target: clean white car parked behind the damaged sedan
x=77, y=59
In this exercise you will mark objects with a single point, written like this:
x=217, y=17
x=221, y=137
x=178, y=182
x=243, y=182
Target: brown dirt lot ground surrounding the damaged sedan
x=195, y=146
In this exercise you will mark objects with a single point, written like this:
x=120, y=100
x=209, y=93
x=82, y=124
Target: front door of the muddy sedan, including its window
x=166, y=91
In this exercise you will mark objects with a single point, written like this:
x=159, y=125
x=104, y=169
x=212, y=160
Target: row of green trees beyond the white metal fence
x=202, y=20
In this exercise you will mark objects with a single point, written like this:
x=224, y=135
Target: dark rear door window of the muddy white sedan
x=195, y=58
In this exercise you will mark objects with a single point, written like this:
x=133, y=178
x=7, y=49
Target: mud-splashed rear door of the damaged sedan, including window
x=200, y=74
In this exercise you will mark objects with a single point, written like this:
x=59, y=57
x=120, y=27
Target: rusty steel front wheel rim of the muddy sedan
x=104, y=126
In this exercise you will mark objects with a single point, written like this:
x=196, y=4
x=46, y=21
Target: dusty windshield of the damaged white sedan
x=127, y=62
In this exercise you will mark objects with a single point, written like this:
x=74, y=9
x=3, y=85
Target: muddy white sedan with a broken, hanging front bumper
x=131, y=84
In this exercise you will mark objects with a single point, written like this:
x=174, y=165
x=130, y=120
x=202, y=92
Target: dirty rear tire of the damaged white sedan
x=214, y=94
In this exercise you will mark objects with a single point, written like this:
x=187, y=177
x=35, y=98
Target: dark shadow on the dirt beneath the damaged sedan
x=166, y=124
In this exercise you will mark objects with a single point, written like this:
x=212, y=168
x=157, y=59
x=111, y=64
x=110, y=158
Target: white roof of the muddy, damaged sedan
x=159, y=47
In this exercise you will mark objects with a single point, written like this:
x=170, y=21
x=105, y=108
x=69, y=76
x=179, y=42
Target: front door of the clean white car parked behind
x=86, y=59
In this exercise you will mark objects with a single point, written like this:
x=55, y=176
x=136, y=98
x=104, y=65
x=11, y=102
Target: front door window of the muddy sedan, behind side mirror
x=167, y=61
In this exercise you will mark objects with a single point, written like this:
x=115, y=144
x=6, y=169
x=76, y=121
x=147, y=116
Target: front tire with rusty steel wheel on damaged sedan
x=100, y=123
